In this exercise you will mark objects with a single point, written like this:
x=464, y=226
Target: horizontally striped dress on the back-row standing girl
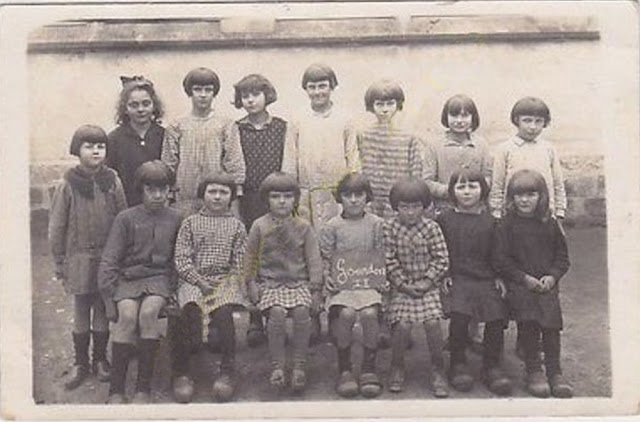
x=384, y=154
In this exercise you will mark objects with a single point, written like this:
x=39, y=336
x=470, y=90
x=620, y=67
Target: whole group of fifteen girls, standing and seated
x=224, y=215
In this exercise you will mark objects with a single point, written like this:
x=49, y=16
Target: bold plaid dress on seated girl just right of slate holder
x=413, y=254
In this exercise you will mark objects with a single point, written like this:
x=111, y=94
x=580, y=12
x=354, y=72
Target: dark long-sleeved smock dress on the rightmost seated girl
x=531, y=246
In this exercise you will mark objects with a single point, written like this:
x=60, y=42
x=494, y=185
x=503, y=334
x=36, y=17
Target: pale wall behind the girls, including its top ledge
x=73, y=69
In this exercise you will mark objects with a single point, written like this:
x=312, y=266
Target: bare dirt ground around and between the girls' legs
x=585, y=343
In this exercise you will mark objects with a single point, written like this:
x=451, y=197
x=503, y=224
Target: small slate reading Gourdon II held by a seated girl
x=354, y=270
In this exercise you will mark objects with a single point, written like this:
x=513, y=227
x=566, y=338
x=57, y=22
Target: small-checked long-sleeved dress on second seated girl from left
x=211, y=248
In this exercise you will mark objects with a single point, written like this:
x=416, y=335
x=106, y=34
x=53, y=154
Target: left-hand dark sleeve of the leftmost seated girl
x=112, y=255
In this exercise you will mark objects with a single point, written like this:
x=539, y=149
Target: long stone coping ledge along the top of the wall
x=145, y=34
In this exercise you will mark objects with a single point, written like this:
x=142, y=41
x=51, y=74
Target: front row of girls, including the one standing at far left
x=213, y=266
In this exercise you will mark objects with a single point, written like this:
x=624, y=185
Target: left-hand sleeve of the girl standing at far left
x=58, y=223
